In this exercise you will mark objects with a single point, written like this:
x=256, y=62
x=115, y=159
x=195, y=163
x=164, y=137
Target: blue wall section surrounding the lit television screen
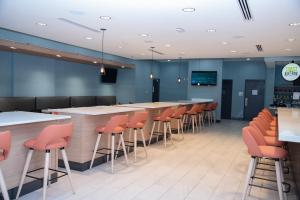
x=212, y=92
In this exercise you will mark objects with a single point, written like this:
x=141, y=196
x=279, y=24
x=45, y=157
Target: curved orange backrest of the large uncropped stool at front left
x=54, y=133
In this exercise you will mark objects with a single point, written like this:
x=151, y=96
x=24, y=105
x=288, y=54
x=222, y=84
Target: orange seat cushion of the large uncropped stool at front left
x=32, y=144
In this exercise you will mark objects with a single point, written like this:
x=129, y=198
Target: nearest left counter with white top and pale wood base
x=24, y=126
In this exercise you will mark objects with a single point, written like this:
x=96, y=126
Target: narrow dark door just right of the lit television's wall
x=226, y=99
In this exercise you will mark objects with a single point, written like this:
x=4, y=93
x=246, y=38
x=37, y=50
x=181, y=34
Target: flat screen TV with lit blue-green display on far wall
x=204, y=78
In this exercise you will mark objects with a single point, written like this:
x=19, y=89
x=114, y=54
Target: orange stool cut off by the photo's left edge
x=5, y=142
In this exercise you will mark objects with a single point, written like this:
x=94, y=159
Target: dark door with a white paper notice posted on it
x=254, y=98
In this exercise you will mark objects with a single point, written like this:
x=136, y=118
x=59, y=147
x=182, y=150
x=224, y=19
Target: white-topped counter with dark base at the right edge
x=289, y=131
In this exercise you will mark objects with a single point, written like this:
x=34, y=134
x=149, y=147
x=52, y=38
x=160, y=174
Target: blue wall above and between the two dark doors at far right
x=239, y=71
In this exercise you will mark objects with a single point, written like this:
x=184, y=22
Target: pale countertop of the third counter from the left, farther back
x=151, y=105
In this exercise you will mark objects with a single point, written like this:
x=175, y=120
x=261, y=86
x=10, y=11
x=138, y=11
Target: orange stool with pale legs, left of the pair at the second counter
x=116, y=125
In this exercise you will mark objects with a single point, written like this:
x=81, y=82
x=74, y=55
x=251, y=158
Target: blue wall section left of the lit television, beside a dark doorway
x=170, y=89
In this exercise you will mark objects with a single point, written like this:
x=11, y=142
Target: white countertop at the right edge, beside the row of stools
x=289, y=124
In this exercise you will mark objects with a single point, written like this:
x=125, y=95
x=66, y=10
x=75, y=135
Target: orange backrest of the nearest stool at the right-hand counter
x=250, y=141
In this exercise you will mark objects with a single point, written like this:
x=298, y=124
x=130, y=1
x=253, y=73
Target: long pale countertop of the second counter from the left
x=93, y=110
